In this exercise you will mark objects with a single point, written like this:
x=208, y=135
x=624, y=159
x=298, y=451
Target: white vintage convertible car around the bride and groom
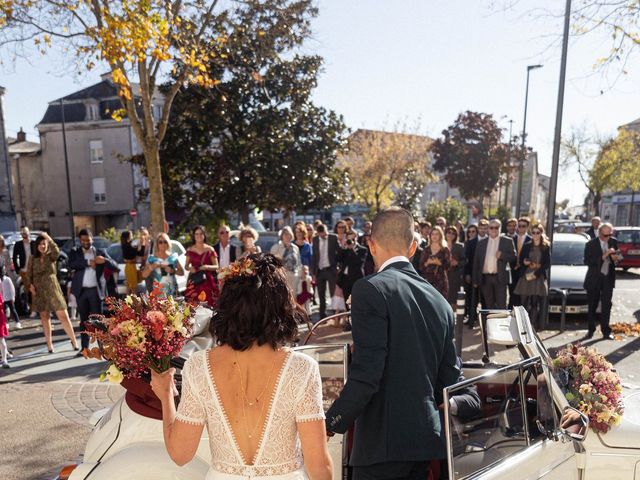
x=512, y=432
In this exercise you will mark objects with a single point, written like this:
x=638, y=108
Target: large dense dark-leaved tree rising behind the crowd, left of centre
x=255, y=140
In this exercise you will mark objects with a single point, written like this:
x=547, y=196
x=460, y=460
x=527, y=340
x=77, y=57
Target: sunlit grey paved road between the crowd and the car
x=46, y=400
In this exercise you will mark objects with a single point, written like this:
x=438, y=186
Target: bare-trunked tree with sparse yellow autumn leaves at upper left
x=140, y=42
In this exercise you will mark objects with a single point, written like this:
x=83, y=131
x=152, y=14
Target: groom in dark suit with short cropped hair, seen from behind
x=403, y=357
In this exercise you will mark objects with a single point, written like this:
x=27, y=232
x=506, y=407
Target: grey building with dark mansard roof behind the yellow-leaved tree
x=104, y=186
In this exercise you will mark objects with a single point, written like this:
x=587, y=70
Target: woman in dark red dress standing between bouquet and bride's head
x=201, y=263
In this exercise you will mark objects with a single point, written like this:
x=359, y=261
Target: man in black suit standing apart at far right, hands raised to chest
x=600, y=255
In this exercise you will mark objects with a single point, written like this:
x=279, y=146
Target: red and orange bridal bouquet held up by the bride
x=141, y=333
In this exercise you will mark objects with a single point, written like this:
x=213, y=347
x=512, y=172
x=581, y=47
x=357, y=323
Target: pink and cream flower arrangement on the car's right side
x=591, y=385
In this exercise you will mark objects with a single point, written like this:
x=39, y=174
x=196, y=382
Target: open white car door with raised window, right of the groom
x=508, y=432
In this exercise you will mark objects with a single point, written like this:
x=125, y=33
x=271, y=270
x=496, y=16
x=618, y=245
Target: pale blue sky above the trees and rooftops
x=420, y=60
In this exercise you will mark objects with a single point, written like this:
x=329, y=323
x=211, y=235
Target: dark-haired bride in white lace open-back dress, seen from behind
x=261, y=402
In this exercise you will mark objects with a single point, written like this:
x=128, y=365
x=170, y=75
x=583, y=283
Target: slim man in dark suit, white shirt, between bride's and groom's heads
x=325, y=264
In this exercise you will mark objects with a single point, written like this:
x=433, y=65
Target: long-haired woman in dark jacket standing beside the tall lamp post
x=532, y=286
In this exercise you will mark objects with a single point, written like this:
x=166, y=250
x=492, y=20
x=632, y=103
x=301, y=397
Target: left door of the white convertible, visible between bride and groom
x=332, y=360
